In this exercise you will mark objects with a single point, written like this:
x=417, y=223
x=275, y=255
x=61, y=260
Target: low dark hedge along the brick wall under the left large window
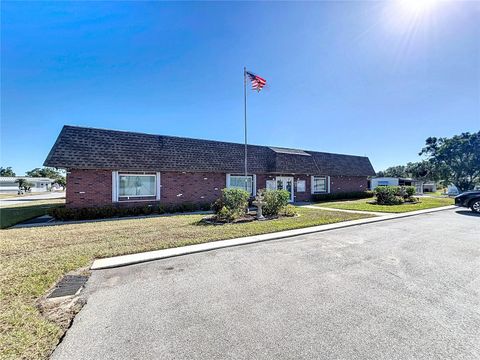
x=66, y=214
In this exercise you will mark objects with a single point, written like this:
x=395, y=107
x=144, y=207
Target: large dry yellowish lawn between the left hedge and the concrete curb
x=33, y=259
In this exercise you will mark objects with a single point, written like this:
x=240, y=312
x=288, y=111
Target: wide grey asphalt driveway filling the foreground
x=398, y=289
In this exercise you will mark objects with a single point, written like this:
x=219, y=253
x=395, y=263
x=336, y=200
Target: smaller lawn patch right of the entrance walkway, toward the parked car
x=364, y=205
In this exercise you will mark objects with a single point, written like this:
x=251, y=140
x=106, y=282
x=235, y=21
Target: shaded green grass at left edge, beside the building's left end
x=11, y=215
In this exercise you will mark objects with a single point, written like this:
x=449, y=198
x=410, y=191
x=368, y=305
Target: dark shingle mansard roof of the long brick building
x=88, y=148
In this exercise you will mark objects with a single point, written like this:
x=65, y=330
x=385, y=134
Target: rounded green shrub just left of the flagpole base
x=231, y=205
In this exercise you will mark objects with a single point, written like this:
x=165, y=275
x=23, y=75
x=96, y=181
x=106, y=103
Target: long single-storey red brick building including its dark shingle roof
x=106, y=167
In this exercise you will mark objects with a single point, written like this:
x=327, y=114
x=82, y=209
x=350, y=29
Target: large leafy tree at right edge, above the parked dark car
x=457, y=159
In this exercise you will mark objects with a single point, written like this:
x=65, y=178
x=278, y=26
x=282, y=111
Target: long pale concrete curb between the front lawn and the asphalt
x=125, y=260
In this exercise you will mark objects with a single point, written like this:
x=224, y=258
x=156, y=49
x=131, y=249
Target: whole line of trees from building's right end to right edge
x=454, y=160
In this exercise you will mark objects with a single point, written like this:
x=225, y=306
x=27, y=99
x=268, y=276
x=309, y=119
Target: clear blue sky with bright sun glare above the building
x=367, y=78
